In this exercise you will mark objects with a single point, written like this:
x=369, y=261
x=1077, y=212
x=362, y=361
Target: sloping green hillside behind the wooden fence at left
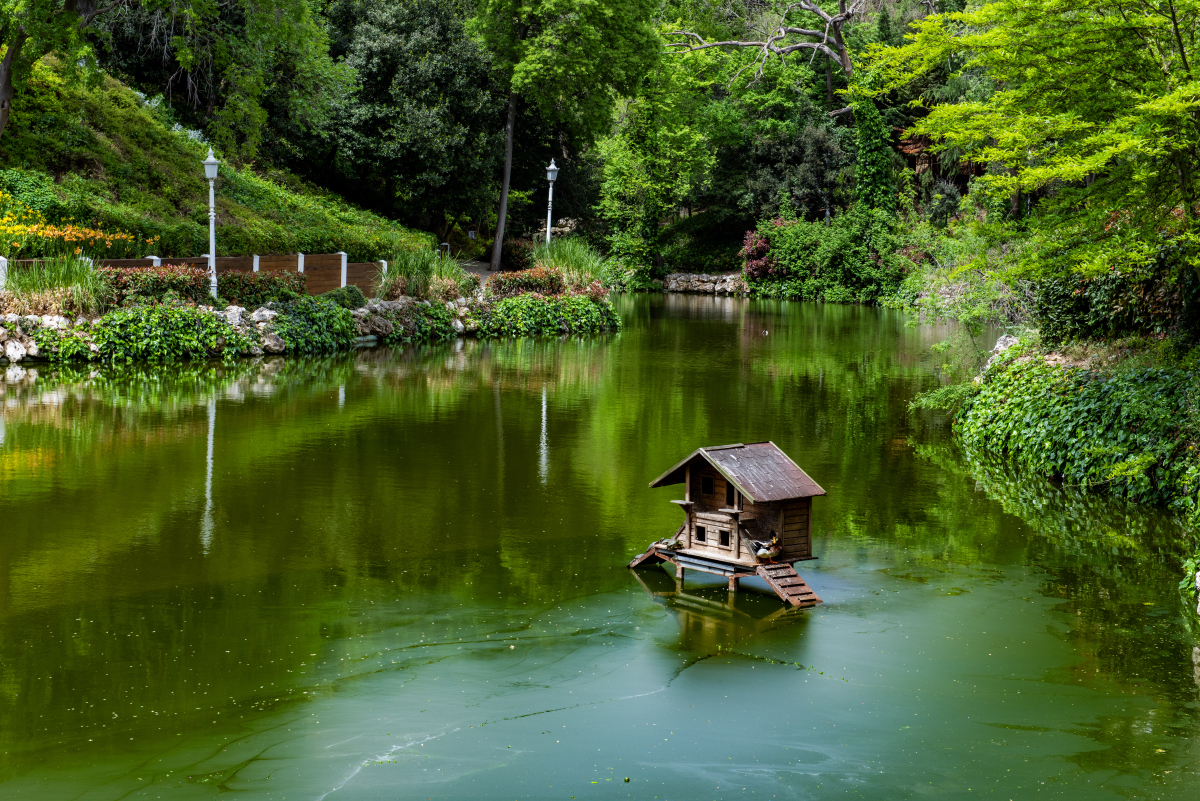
x=103, y=156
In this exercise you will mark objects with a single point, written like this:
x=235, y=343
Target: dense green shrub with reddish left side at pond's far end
x=854, y=260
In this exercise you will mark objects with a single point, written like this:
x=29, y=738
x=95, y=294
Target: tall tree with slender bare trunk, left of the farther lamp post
x=571, y=59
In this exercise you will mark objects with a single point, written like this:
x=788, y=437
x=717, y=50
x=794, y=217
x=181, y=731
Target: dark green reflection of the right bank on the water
x=1115, y=567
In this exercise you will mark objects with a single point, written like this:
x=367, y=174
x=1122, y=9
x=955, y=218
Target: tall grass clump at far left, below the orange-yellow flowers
x=62, y=285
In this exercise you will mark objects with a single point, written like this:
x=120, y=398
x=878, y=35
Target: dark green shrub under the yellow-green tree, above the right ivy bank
x=1156, y=300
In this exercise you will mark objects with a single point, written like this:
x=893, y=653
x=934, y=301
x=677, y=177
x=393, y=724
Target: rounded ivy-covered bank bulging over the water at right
x=1094, y=419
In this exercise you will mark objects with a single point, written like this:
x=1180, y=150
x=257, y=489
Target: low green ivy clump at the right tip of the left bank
x=535, y=316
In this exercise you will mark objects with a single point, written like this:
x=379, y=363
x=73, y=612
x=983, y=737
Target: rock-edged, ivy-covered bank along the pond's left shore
x=299, y=326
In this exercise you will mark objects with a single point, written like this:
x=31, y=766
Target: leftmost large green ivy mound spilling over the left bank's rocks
x=158, y=334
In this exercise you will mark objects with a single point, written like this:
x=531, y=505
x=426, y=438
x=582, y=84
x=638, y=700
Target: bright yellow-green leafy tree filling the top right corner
x=1095, y=109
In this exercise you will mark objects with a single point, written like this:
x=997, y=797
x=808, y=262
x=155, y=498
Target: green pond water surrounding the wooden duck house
x=401, y=574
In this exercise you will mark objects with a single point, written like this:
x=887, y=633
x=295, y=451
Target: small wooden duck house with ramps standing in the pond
x=748, y=513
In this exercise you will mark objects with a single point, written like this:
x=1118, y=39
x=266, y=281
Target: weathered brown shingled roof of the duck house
x=760, y=471
